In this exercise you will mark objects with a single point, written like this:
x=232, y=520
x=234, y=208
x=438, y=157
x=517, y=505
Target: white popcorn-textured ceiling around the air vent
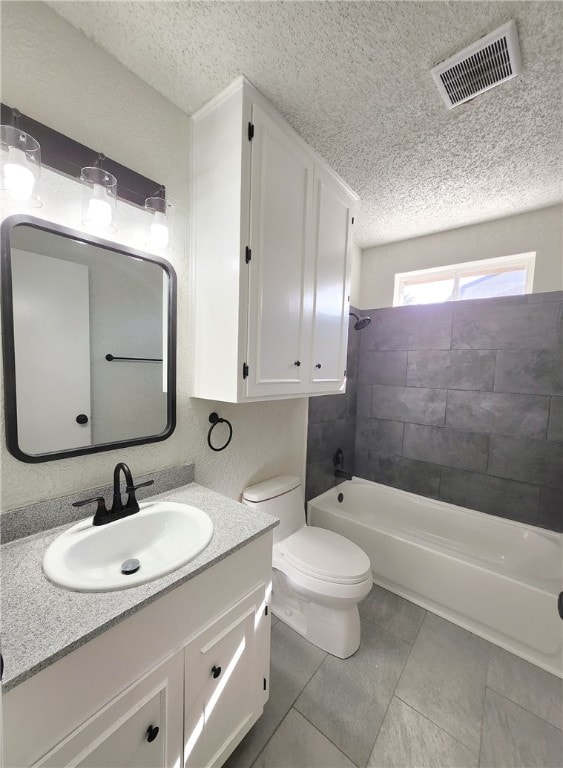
x=353, y=79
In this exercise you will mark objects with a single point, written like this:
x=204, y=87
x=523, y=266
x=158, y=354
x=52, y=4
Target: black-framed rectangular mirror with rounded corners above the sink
x=89, y=342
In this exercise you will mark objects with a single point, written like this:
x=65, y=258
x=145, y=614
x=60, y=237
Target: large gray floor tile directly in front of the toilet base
x=347, y=698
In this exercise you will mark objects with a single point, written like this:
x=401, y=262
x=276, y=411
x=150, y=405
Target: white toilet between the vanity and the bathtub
x=319, y=576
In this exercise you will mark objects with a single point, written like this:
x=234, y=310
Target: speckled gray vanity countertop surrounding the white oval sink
x=42, y=623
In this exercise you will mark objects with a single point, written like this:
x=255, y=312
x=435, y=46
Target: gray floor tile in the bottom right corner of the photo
x=514, y=737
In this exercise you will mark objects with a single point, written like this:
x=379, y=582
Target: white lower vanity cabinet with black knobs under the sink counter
x=193, y=664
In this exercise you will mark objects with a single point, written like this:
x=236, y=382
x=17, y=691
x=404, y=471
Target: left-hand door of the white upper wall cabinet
x=280, y=296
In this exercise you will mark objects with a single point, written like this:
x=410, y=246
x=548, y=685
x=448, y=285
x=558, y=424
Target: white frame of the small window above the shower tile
x=456, y=271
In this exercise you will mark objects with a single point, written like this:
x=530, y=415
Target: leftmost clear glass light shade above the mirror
x=20, y=161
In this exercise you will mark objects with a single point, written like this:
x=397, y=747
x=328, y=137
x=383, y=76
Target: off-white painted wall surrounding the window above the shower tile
x=539, y=231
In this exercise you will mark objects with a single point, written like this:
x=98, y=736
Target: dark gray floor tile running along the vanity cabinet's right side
x=293, y=661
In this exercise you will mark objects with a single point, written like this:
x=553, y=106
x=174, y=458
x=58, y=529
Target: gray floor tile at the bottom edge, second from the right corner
x=407, y=739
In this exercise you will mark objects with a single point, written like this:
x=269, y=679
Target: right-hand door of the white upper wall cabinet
x=332, y=243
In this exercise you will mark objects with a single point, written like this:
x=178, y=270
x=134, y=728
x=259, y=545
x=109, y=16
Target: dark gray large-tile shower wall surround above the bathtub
x=460, y=401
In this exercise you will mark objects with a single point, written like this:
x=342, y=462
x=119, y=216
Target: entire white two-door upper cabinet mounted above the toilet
x=271, y=239
